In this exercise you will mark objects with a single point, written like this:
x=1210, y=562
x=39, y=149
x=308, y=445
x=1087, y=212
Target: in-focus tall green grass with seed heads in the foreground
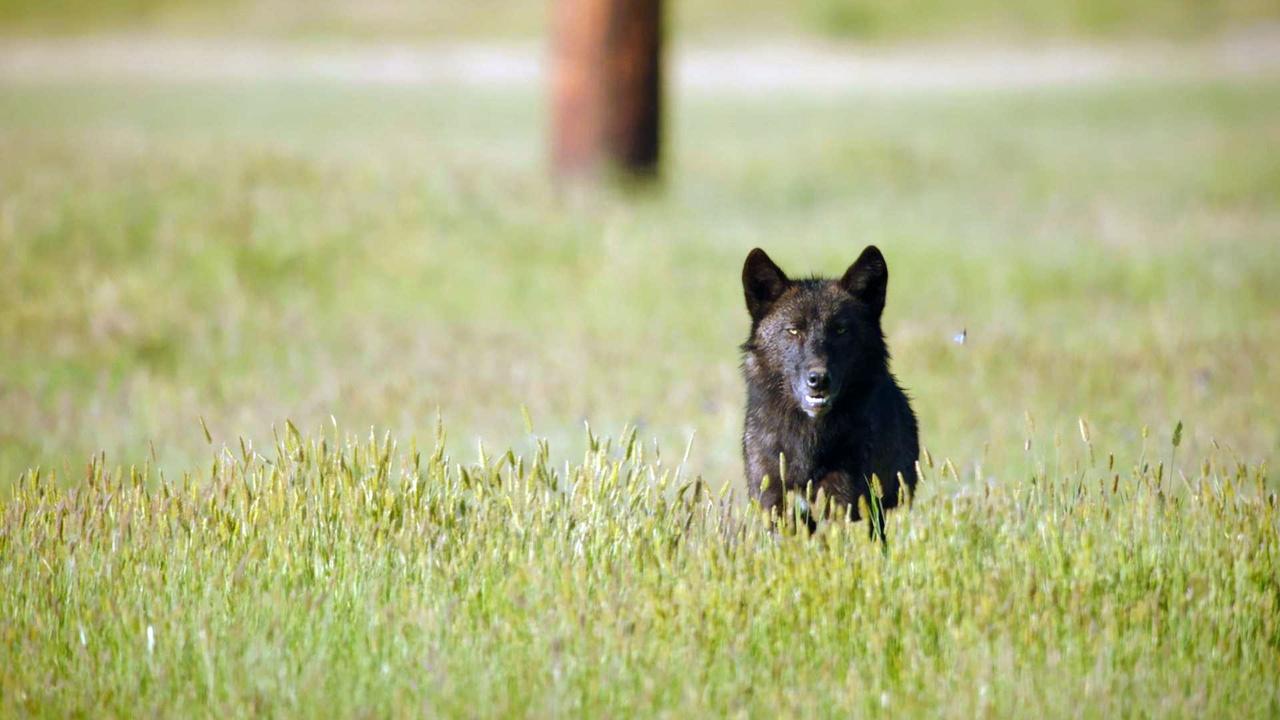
x=342, y=577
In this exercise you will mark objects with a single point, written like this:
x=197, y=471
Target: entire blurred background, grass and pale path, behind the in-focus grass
x=248, y=212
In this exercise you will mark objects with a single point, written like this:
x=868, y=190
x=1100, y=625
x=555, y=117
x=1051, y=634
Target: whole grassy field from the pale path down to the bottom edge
x=237, y=256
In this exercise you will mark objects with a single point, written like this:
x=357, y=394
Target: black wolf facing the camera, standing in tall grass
x=824, y=412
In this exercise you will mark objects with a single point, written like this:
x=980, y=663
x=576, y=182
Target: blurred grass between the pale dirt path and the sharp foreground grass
x=246, y=254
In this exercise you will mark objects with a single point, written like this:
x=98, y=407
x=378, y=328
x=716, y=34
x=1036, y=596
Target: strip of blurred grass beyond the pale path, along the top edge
x=862, y=20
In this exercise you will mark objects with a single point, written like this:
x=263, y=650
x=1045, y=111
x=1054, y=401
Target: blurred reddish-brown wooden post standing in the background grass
x=607, y=86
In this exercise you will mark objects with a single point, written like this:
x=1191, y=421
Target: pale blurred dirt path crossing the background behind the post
x=743, y=69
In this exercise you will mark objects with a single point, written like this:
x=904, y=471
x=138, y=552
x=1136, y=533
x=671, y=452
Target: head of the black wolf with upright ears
x=816, y=340
